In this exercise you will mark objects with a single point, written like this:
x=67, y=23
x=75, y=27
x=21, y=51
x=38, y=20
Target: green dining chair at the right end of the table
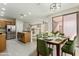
x=69, y=47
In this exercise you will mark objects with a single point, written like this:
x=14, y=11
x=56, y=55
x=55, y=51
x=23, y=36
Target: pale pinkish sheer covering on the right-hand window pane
x=70, y=25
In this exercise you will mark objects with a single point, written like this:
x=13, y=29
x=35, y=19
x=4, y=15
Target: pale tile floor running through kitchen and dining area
x=17, y=48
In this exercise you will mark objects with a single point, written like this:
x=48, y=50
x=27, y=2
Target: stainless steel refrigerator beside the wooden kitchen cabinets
x=11, y=31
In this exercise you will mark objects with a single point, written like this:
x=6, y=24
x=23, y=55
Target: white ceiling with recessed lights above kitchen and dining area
x=32, y=11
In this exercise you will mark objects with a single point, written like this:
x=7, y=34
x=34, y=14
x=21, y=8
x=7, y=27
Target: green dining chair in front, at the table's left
x=42, y=48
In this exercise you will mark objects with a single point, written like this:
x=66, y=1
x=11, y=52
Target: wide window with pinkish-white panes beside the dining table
x=66, y=24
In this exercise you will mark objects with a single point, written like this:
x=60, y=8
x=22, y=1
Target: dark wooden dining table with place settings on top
x=56, y=41
